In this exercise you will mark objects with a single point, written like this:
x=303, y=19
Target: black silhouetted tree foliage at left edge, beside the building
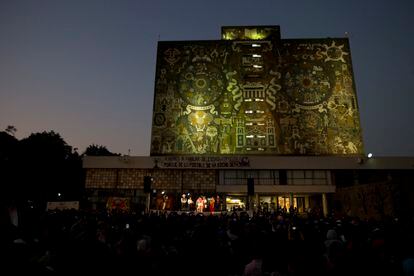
x=39, y=167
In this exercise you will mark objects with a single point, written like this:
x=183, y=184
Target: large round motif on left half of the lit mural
x=201, y=83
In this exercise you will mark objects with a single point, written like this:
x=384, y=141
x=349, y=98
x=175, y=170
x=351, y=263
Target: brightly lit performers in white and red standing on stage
x=202, y=204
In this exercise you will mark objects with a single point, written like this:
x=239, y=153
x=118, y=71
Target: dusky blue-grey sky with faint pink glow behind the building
x=86, y=69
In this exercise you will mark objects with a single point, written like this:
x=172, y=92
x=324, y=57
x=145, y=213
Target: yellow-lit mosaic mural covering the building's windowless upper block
x=284, y=97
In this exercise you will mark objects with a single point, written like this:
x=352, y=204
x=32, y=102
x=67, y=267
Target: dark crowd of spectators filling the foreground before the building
x=191, y=243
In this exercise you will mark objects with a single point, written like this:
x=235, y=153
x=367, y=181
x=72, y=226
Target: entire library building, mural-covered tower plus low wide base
x=254, y=122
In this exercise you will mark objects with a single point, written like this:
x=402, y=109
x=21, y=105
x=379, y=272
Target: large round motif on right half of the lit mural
x=307, y=85
